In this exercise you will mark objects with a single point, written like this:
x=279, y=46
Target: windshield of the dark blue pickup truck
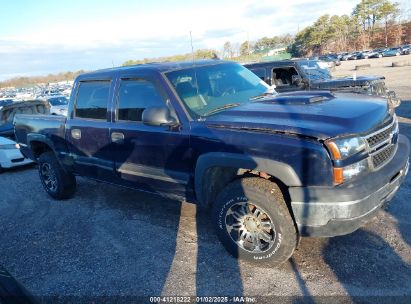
x=208, y=89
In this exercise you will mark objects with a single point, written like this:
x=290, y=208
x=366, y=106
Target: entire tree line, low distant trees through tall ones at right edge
x=372, y=24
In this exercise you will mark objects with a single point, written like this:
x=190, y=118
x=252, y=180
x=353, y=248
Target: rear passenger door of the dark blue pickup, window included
x=87, y=130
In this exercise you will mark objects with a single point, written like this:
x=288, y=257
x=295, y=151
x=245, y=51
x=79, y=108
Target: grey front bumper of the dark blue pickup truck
x=332, y=211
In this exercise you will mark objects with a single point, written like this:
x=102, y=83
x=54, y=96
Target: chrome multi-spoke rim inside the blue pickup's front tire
x=250, y=227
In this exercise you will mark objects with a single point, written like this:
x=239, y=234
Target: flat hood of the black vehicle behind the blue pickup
x=342, y=82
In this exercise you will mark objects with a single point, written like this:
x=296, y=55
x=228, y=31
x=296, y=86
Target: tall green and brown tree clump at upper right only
x=372, y=24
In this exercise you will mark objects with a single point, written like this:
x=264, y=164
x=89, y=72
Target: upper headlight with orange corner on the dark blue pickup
x=343, y=148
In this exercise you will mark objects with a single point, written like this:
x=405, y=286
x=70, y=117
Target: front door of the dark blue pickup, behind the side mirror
x=153, y=158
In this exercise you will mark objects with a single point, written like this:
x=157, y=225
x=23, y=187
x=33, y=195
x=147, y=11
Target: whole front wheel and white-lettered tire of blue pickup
x=273, y=229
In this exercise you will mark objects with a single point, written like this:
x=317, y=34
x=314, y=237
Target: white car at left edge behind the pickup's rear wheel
x=10, y=155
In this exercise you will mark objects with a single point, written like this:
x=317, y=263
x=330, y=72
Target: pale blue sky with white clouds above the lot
x=42, y=37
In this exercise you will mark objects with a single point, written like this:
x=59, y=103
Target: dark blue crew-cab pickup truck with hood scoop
x=273, y=167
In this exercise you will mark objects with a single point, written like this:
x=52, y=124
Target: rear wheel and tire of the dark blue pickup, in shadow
x=57, y=182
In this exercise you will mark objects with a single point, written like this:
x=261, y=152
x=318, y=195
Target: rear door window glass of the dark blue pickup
x=92, y=99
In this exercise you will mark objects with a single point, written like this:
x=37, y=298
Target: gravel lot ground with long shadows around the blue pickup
x=109, y=241
